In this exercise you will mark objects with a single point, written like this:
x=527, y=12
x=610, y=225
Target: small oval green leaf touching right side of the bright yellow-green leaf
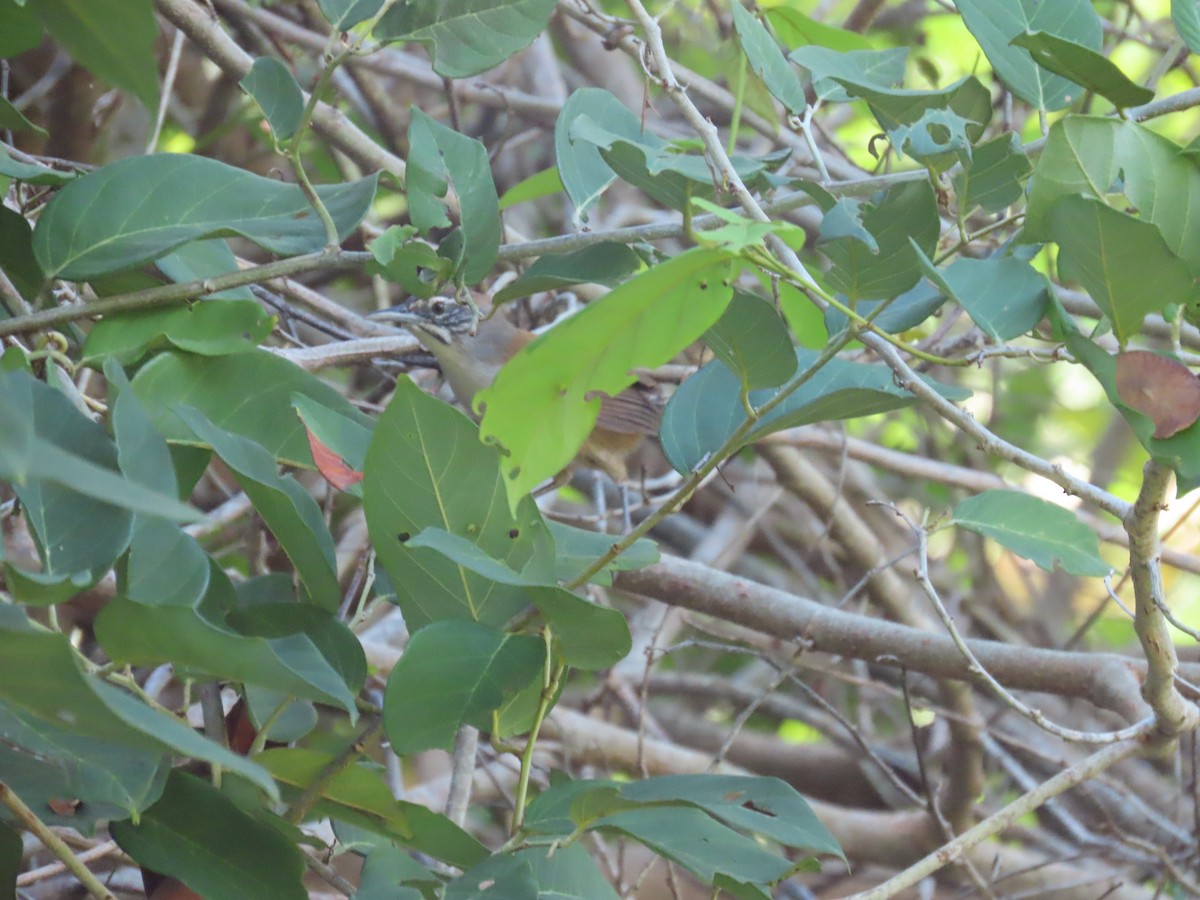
x=753, y=341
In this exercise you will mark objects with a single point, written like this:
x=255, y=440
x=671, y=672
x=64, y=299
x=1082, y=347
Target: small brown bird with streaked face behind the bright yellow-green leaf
x=471, y=351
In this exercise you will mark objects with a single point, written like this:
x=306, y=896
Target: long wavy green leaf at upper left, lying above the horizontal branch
x=139, y=209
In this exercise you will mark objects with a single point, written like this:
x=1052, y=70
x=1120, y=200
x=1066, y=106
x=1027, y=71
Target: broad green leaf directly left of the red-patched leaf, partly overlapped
x=217, y=386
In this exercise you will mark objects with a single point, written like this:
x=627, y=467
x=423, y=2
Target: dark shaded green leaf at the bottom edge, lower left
x=199, y=836
